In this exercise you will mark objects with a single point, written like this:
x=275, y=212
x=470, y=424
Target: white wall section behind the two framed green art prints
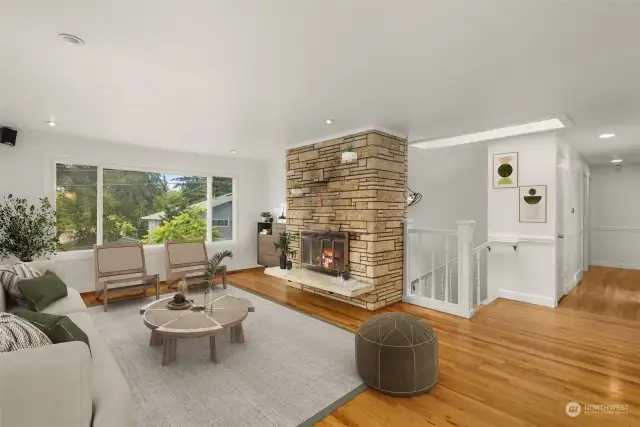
x=528, y=273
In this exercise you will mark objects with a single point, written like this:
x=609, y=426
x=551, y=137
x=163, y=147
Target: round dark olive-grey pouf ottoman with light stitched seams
x=397, y=353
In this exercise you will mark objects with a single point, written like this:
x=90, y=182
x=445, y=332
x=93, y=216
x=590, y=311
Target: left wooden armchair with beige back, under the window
x=118, y=263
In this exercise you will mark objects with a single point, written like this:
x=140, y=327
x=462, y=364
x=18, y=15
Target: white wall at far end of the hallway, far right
x=615, y=216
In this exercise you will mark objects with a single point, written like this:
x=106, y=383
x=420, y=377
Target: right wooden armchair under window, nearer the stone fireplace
x=187, y=260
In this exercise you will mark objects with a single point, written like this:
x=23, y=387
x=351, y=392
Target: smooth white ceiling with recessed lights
x=255, y=75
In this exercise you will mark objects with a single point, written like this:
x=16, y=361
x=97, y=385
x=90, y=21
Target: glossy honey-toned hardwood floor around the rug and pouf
x=513, y=364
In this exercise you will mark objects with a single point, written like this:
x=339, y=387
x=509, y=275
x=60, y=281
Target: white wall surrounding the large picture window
x=28, y=170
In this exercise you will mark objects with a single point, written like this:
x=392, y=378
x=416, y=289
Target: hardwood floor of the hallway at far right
x=607, y=291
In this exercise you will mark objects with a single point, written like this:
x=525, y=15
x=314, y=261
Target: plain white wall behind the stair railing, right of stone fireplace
x=452, y=182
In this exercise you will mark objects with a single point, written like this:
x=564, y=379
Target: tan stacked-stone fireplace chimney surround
x=364, y=200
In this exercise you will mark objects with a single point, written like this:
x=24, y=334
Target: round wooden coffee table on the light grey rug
x=225, y=311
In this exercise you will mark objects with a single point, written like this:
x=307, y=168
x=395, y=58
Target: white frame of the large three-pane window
x=100, y=195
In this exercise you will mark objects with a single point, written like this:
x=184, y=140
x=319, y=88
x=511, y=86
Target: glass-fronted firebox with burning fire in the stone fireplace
x=326, y=251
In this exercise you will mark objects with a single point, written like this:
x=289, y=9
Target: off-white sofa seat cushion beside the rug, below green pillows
x=111, y=395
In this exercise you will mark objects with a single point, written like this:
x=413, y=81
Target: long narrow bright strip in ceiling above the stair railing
x=529, y=128
